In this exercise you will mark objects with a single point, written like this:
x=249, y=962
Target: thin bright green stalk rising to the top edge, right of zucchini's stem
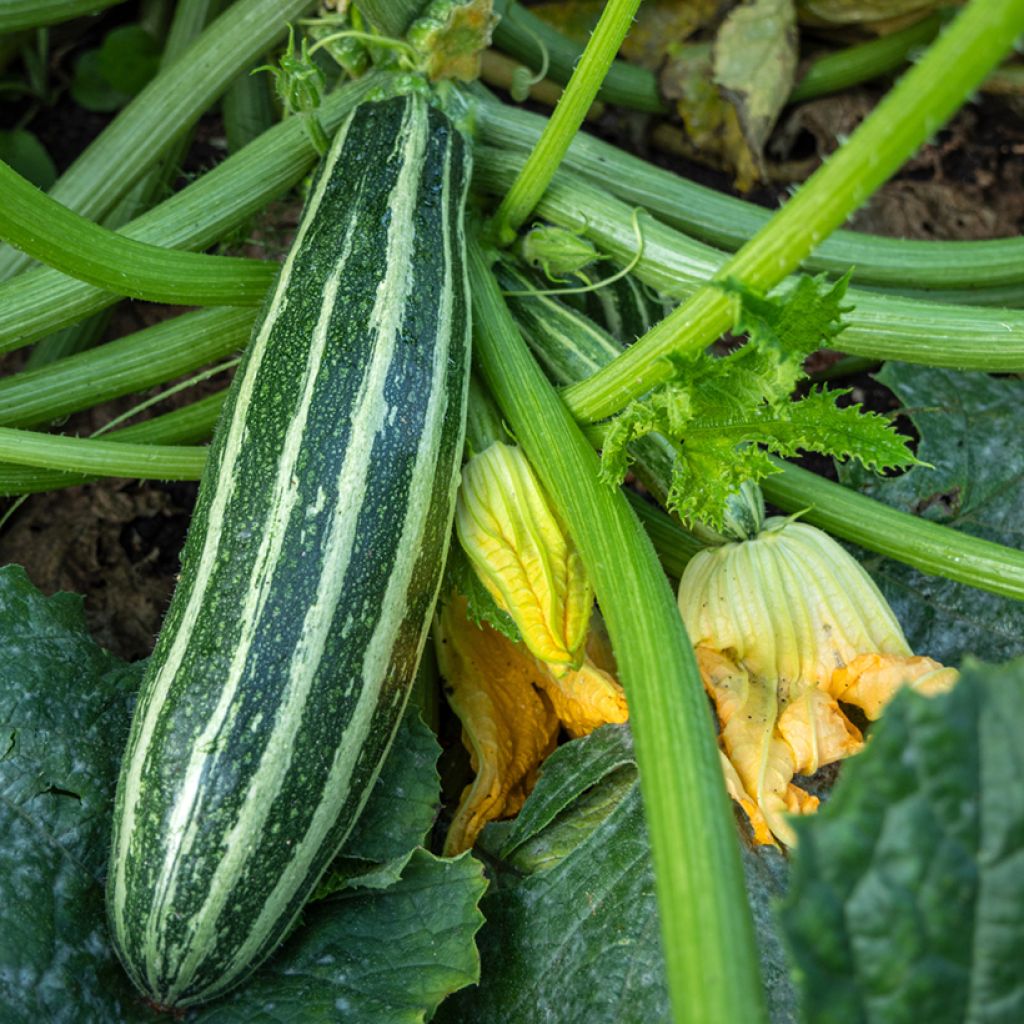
x=568, y=117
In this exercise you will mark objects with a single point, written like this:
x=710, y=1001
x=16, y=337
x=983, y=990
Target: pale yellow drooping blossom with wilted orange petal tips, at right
x=787, y=626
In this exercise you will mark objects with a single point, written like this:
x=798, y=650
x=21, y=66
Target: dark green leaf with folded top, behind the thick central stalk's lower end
x=572, y=932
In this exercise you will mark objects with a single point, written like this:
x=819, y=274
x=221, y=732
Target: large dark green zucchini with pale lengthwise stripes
x=311, y=570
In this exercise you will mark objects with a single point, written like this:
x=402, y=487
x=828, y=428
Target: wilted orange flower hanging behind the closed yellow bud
x=513, y=709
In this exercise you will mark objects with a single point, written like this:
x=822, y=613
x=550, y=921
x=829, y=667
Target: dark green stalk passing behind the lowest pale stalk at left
x=188, y=425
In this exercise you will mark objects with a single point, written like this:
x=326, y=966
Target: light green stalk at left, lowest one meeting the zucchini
x=83, y=455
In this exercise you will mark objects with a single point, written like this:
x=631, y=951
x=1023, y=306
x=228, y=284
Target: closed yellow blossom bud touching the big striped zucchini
x=524, y=556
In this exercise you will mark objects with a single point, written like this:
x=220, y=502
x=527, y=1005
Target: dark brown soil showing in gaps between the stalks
x=118, y=542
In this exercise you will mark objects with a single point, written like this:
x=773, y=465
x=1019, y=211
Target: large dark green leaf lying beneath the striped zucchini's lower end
x=388, y=955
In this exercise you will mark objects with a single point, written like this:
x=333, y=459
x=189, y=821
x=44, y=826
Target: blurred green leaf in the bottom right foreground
x=906, y=892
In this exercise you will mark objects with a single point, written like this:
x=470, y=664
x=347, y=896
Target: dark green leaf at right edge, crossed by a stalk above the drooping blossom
x=970, y=426
